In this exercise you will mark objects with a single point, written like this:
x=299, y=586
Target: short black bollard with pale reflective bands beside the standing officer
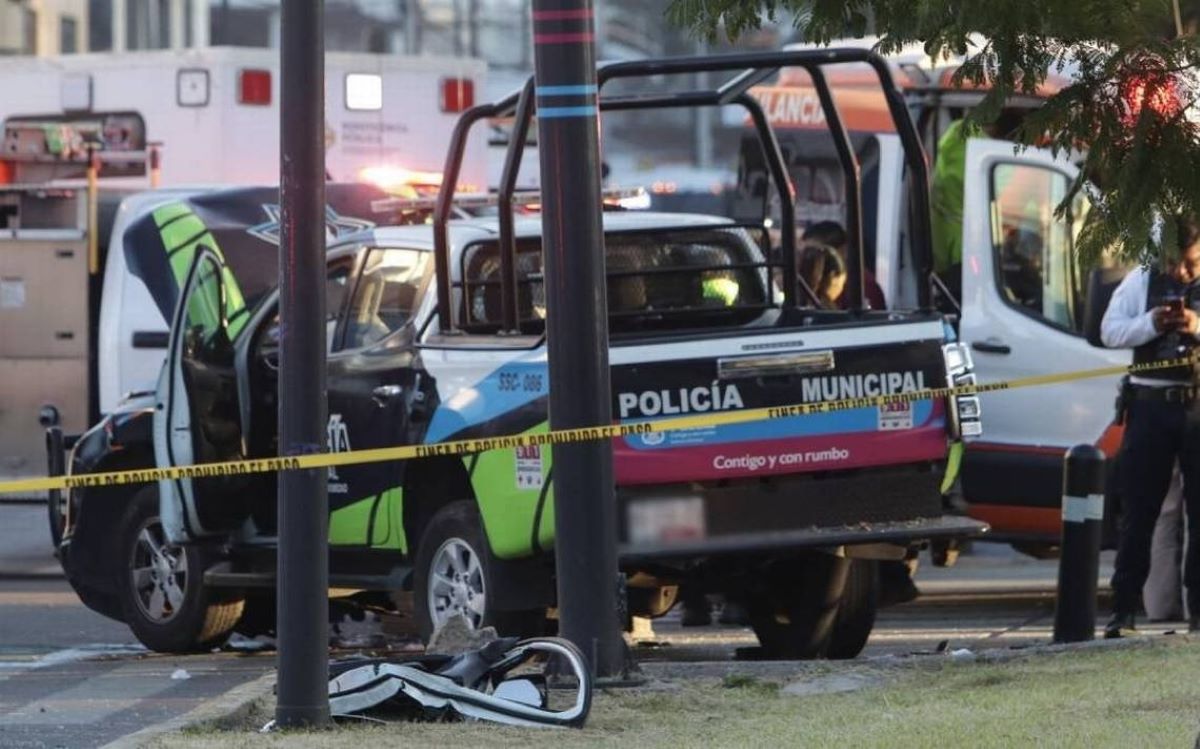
x=1083, y=517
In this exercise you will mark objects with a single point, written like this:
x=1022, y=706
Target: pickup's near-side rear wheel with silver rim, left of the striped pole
x=459, y=526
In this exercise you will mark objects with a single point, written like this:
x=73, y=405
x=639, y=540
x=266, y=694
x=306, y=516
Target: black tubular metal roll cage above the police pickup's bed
x=752, y=70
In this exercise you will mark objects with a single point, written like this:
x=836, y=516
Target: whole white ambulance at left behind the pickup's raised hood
x=77, y=332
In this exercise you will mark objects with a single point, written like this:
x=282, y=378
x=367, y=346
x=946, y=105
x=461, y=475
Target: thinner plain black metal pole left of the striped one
x=303, y=625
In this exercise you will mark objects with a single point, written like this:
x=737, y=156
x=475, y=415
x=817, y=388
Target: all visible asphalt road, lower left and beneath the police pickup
x=73, y=679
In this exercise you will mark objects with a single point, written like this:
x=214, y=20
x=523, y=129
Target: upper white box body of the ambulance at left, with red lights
x=214, y=113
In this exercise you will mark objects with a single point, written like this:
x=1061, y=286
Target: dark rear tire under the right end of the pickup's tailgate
x=796, y=619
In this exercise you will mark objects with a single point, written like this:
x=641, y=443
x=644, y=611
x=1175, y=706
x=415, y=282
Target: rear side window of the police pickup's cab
x=387, y=295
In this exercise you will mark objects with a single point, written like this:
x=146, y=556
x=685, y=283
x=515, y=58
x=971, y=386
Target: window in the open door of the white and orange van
x=1034, y=249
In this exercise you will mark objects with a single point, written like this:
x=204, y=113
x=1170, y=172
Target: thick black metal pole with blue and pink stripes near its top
x=578, y=328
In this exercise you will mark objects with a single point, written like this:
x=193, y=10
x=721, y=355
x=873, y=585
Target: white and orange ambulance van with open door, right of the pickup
x=1019, y=296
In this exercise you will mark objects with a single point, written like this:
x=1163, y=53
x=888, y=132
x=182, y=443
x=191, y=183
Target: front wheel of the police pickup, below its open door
x=200, y=619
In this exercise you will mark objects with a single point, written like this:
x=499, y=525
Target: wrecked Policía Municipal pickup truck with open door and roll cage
x=437, y=334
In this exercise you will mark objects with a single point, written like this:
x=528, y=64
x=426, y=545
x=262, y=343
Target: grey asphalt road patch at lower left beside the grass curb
x=70, y=678
